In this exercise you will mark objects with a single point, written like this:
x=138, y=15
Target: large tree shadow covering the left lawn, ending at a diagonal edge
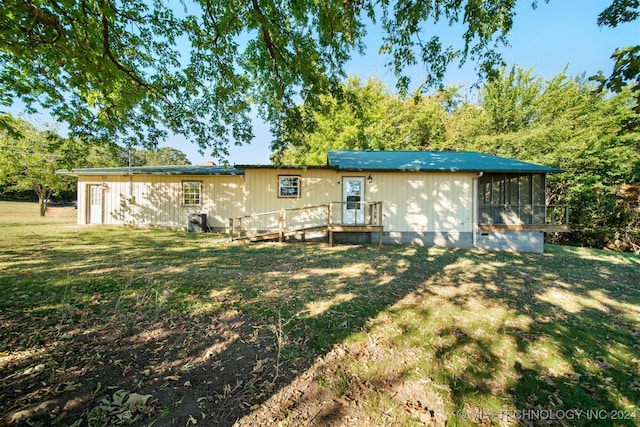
x=210, y=331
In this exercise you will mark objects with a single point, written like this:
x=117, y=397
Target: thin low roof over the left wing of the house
x=157, y=170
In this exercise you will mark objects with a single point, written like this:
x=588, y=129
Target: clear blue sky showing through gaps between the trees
x=554, y=36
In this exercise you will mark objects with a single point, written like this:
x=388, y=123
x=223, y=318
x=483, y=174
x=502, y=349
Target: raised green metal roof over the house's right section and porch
x=430, y=161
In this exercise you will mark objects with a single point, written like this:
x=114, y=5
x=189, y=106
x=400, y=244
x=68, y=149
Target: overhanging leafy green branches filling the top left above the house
x=135, y=70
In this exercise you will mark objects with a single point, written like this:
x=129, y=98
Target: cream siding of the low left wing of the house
x=156, y=200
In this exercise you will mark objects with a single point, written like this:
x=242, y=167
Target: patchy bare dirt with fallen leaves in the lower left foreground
x=139, y=369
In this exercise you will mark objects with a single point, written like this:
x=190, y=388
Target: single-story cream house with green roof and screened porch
x=444, y=198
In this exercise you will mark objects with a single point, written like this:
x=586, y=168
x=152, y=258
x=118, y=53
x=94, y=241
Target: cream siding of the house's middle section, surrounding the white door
x=422, y=208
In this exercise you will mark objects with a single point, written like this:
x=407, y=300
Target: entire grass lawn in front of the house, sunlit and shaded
x=118, y=326
